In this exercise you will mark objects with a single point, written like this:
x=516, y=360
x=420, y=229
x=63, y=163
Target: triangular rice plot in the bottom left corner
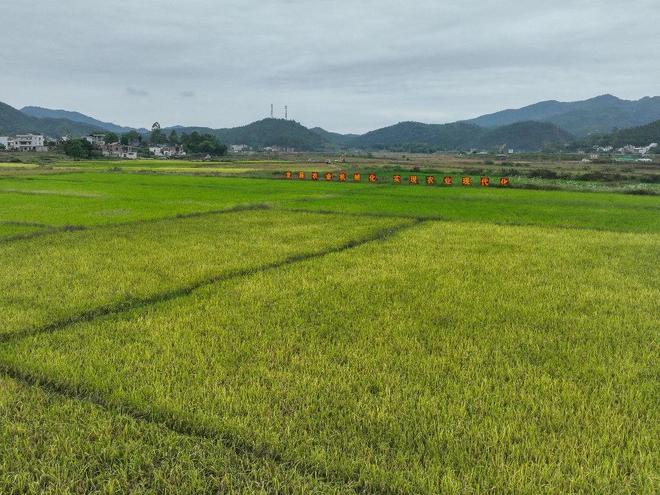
x=51, y=445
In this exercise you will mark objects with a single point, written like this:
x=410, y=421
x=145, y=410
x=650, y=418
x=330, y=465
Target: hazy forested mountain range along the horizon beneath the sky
x=548, y=124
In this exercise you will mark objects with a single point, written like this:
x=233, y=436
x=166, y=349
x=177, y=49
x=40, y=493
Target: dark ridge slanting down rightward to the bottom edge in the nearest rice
x=187, y=428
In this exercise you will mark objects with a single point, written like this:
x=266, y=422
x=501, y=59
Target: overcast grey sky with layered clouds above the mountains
x=346, y=65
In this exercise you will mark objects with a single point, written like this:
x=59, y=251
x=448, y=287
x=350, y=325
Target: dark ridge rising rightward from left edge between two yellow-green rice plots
x=139, y=302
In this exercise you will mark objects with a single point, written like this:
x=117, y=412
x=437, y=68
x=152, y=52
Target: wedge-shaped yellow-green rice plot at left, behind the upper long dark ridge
x=77, y=275
